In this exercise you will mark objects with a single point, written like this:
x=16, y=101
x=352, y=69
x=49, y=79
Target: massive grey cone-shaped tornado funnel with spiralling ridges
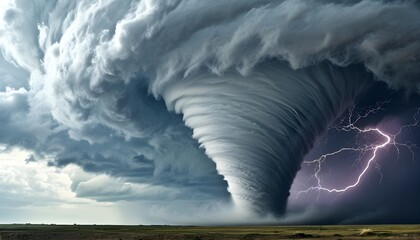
x=257, y=128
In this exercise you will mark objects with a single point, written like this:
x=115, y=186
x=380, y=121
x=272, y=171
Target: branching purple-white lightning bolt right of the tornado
x=388, y=140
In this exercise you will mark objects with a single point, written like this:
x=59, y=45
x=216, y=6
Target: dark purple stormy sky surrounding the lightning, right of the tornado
x=386, y=194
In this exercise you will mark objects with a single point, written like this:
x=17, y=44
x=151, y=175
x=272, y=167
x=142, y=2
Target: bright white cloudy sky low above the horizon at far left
x=34, y=192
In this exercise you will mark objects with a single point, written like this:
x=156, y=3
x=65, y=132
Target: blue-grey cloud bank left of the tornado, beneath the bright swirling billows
x=167, y=156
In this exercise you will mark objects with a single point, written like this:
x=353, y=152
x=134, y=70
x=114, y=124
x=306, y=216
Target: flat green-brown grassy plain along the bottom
x=74, y=232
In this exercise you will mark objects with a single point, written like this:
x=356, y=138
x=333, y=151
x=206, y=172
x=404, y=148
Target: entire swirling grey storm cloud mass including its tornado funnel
x=257, y=81
